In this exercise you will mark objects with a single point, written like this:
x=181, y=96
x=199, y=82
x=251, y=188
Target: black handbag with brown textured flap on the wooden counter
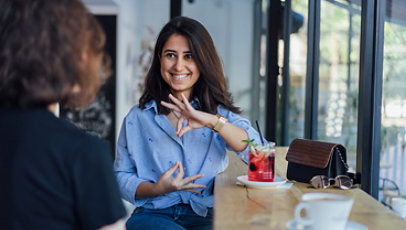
x=308, y=158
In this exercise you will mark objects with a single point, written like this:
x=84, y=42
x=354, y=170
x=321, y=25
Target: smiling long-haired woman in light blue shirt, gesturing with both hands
x=173, y=144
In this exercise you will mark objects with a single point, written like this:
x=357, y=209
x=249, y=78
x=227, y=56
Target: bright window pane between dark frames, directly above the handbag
x=340, y=24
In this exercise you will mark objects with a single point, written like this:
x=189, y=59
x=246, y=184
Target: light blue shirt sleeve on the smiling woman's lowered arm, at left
x=125, y=169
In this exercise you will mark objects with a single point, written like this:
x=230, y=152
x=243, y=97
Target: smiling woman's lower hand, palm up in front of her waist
x=167, y=183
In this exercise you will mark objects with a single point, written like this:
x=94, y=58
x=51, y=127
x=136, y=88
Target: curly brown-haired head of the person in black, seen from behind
x=47, y=47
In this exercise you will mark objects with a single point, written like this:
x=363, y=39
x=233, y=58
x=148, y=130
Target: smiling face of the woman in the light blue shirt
x=178, y=68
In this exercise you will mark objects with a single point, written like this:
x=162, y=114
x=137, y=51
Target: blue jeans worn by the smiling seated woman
x=177, y=217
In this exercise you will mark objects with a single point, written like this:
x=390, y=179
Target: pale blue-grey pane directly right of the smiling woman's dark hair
x=230, y=23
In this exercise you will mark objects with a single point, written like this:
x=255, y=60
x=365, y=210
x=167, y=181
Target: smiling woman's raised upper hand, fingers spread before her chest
x=184, y=111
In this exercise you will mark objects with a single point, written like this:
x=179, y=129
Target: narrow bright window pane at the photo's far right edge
x=393, y=128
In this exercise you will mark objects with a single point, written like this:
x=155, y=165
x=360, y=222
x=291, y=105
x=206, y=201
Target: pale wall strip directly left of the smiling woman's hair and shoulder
x=139, y=22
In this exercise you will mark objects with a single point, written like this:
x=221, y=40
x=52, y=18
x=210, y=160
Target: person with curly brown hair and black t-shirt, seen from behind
x=53, y=175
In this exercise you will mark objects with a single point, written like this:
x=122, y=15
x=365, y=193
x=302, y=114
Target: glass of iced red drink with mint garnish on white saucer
x=261, y=166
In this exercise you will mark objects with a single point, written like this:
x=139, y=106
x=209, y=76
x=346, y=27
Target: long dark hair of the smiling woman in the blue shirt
x=210, y=89
